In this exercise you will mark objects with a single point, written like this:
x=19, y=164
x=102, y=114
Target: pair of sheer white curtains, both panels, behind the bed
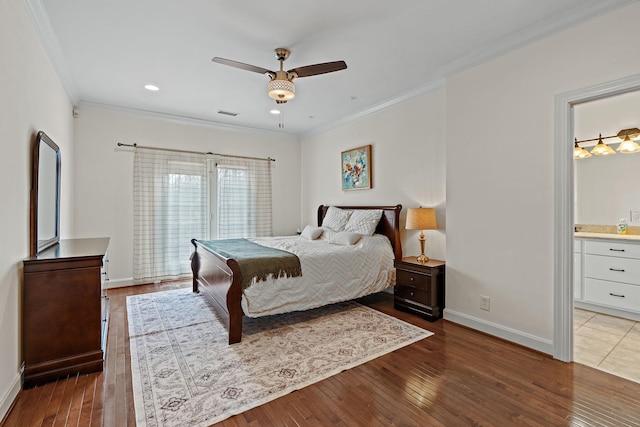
x=172, y=205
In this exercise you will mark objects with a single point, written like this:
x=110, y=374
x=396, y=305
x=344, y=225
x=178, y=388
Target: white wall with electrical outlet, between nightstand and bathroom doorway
x=500, y=176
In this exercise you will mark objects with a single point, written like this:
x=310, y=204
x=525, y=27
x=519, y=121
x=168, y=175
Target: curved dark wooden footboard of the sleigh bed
x=219, y=280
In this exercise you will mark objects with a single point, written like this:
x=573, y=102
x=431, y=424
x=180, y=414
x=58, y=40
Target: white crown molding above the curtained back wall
x=182, y=119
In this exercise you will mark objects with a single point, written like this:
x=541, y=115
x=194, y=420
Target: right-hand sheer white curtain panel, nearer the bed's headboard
x=243, y=202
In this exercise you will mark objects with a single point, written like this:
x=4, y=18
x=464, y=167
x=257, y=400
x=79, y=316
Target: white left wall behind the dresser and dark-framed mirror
x=32, y=99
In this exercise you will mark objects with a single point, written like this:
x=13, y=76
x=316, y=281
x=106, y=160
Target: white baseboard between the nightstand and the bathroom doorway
x=518, y=337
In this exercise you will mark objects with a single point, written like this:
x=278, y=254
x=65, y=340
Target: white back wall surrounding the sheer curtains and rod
x=104, y=173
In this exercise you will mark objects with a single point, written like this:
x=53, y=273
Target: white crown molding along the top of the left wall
x=42, y=25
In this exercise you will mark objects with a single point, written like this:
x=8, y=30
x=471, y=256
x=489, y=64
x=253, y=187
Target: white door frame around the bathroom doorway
x=563, y=205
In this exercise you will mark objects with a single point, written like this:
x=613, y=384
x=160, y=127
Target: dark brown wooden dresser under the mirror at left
x=65, y=310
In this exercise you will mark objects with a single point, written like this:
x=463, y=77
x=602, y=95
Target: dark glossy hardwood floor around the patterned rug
x=456, y=377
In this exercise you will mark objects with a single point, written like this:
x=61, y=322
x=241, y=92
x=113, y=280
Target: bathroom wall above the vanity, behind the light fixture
x=607, y=186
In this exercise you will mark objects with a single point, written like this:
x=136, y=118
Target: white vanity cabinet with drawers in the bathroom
x=610, y=277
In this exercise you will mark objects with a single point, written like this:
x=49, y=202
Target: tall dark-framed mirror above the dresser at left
x=45, y=194
